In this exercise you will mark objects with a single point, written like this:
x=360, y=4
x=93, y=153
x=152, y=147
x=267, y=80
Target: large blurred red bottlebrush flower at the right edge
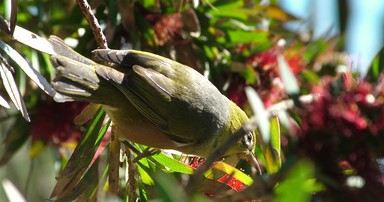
x=343, y=130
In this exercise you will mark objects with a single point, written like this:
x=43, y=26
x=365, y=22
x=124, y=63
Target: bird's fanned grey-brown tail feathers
x=76, y=78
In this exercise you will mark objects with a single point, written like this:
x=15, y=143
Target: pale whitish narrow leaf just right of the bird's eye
x=260, y=113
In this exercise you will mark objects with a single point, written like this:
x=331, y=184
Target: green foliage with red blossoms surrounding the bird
x=321, y=127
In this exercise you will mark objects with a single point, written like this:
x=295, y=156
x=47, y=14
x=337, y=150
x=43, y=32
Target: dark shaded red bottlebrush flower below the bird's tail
x=53, y=122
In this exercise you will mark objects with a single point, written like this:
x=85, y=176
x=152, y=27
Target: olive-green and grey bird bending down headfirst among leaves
x=152, y=100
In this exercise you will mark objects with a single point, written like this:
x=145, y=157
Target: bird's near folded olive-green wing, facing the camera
x=151, y=94
